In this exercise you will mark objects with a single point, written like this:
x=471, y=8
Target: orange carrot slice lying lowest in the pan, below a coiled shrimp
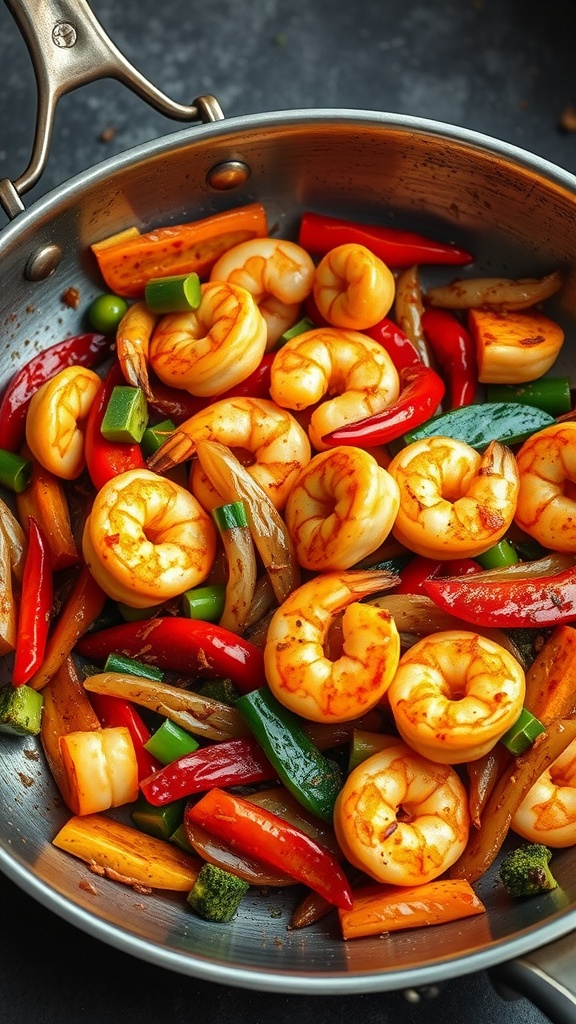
x=390, y=909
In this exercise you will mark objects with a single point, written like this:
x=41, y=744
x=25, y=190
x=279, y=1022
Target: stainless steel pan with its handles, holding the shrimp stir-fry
x=518, y=215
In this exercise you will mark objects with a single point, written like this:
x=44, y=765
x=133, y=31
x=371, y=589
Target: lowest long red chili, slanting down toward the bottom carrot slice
x=263, y=835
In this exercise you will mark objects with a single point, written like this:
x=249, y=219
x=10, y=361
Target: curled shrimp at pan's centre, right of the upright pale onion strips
x=342, y=507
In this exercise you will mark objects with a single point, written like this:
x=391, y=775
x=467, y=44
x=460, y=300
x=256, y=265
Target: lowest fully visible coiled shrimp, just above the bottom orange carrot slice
x=402, y=819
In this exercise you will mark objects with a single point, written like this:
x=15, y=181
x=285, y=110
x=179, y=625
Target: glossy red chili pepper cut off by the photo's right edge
x=514, y=604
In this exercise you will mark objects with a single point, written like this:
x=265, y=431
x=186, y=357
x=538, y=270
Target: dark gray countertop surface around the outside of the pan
x=501, y=67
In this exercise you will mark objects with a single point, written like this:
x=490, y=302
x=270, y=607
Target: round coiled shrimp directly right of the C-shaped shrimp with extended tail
x=456, y=695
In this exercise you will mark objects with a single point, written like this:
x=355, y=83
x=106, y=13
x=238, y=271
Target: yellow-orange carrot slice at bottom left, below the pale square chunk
x=125, y=855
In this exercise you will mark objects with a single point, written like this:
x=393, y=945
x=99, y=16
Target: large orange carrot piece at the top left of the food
x=128, y=265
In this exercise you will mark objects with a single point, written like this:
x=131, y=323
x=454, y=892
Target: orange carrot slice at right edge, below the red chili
x=551, y=693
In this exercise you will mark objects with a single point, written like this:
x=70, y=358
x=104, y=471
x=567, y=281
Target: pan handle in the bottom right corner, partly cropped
x=546, y=976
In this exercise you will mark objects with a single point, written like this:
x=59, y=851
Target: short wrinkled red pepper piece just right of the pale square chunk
x=234, y=762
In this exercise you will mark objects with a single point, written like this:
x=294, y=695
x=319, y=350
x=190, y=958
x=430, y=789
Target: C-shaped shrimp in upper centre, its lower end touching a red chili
x=330, y=362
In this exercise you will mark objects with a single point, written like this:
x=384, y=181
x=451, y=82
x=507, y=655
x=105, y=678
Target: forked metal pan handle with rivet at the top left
x=69, y=49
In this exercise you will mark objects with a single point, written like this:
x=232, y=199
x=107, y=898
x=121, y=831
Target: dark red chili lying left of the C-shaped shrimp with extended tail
x=179, y=645
